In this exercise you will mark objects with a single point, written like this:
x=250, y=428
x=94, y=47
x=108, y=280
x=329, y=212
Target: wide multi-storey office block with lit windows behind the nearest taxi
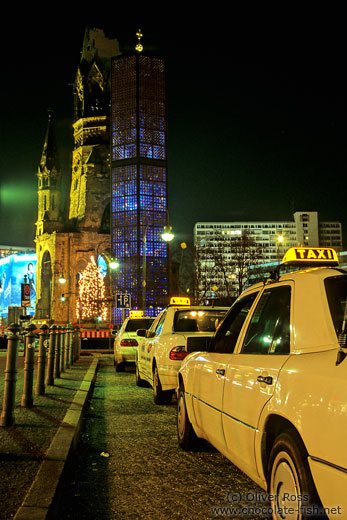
x=226, y=250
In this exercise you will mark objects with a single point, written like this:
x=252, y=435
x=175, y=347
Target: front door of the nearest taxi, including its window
x=210, y=369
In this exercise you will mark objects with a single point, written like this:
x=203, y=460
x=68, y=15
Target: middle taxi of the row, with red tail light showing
x=178, y=329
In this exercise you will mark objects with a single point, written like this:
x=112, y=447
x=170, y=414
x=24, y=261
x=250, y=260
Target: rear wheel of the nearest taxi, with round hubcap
x=290, y=484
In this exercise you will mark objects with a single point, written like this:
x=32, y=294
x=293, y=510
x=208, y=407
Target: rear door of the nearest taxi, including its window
x=252, y=373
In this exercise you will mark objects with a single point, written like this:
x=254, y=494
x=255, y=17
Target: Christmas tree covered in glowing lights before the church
x=91, y=293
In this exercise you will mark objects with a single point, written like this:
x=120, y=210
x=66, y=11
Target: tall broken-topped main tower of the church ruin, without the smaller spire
x=90, y=182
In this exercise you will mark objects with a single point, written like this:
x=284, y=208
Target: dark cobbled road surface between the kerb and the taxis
x=128, y=464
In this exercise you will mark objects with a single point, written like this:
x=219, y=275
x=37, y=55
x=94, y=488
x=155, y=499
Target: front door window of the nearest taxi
x=230, y=328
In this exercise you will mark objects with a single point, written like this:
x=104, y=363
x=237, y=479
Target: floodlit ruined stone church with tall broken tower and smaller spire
x=66, y=241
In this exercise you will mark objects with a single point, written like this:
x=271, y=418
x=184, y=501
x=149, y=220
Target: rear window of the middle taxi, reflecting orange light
x=199, y=320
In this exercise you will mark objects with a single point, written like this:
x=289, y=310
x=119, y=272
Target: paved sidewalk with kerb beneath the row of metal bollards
x=33, y=451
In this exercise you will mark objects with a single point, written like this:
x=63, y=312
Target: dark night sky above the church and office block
x=256, y=131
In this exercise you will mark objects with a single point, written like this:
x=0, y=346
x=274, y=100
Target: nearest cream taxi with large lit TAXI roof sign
x=270, y=392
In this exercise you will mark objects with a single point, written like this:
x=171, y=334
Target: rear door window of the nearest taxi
x=269, y=329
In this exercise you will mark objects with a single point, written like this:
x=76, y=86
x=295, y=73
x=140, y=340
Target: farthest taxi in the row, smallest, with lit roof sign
x=126, y=340
